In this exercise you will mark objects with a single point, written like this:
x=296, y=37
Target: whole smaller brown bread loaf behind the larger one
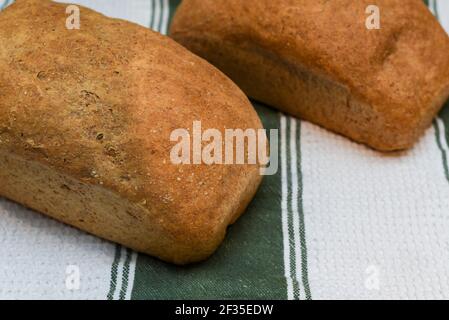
x=321, y=61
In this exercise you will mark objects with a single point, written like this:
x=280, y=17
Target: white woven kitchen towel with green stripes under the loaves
x=338, y=221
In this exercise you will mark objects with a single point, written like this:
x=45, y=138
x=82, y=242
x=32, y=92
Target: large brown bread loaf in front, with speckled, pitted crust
x=85, y=123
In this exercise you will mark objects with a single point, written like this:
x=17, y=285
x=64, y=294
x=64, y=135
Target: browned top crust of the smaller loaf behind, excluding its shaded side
x=401, y=70
